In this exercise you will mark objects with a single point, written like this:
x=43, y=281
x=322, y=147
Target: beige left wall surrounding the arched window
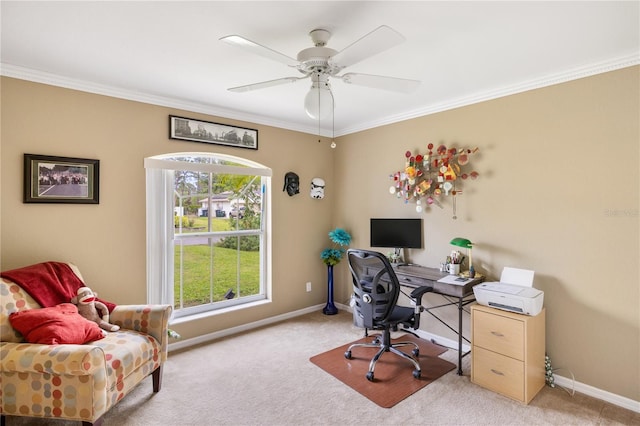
x=107, y=241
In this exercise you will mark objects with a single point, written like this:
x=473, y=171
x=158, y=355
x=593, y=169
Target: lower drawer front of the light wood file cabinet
x=498, y=373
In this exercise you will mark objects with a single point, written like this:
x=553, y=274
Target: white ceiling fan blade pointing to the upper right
x=378, y=40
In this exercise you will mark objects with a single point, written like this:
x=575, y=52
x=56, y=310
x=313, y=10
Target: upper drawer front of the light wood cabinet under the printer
x=498, y=334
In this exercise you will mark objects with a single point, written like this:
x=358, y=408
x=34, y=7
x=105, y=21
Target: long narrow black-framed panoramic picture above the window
x=188, y=129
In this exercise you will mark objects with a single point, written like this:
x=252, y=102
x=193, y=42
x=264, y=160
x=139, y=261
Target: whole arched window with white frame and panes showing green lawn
x=207, y=231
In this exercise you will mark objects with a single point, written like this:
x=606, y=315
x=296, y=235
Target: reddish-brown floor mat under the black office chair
x=393, y=375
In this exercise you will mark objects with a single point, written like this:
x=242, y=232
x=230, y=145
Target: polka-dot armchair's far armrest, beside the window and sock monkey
x=148, y=319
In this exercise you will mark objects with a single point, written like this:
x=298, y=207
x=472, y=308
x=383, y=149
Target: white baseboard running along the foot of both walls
x=564, y=382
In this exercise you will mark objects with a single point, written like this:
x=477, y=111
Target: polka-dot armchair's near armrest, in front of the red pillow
x=73, y=360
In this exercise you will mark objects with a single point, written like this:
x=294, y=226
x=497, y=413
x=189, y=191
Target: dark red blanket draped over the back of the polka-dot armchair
x=49, y=283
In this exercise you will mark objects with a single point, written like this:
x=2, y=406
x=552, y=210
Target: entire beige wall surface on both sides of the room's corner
x=558, y=194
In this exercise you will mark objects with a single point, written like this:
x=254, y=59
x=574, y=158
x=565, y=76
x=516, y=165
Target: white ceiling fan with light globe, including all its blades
x=319, y=63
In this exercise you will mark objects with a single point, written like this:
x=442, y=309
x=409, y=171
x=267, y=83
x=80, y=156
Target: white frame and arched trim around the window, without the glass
x=160, y=225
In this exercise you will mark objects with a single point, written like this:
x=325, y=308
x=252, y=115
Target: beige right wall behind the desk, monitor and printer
x=558, y=194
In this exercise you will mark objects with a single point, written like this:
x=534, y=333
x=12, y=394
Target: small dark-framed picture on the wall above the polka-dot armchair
x=49, y=179
